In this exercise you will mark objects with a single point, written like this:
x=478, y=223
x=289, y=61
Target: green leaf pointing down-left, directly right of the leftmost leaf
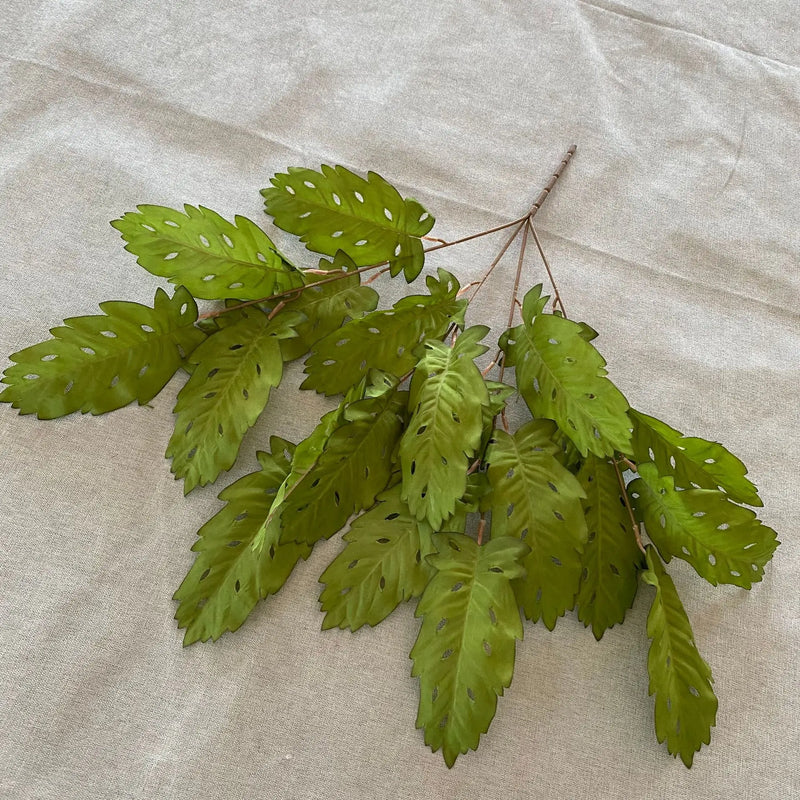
x=235, y=369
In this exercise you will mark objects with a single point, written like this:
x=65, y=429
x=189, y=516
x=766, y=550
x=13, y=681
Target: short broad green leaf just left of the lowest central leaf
x=382, y=565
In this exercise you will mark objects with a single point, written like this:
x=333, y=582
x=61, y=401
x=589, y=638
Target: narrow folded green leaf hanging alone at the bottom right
x=686, y=707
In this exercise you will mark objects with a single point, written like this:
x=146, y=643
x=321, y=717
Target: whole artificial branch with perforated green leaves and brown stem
x=413, y=460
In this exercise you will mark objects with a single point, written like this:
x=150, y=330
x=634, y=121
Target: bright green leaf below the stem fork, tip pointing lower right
x=562, y=377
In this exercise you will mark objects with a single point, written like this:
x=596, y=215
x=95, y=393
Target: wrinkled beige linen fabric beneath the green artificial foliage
x=674, y=232
